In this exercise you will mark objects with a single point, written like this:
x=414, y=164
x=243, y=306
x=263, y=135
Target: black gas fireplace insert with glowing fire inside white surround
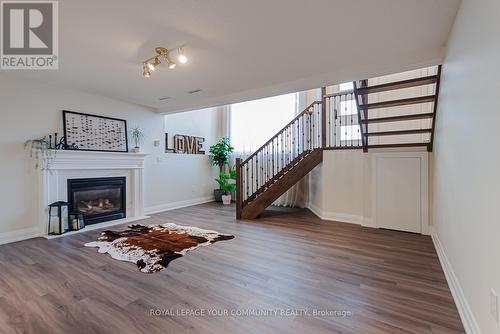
x=99, y=199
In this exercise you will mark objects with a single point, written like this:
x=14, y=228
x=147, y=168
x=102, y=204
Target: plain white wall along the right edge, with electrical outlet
x=466, y=160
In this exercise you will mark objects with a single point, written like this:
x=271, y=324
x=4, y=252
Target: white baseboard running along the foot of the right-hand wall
x=466, y=315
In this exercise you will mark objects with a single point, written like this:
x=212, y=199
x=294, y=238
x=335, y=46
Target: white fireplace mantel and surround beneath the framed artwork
x=67, y=164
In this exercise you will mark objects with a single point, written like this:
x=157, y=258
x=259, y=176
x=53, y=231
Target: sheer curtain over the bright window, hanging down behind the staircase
x=250, y=124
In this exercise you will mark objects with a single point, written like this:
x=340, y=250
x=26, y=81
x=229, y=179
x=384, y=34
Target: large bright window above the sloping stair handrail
x=255, y=122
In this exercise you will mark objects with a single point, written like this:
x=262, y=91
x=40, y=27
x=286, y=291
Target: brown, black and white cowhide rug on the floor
x=153, y=247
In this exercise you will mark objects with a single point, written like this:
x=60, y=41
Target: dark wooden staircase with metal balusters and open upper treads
x=342, y=120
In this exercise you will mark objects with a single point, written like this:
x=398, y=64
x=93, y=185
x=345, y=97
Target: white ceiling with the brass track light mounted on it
x=241, y=49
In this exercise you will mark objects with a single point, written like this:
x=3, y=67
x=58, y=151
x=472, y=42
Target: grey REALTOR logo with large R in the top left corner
x=29, y=37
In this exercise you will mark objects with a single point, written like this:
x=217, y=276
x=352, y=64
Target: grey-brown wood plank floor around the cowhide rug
x=388, y=282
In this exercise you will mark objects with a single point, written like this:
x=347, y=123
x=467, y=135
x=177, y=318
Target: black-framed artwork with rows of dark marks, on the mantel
x=87, y=132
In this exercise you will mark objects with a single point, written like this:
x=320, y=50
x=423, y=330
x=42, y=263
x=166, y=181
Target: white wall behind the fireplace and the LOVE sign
x=31, y=110
